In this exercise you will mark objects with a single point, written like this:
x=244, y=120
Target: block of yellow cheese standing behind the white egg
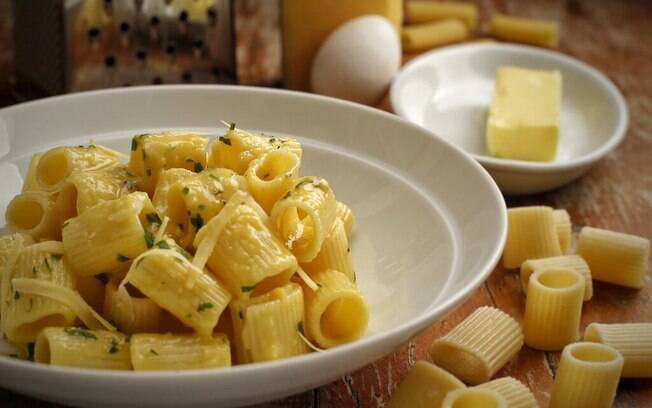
x=307, y=23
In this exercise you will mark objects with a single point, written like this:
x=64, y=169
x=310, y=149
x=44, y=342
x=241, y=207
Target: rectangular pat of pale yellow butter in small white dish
x=523, y=119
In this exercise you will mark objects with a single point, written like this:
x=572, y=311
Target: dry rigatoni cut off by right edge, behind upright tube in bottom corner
x=632, y=340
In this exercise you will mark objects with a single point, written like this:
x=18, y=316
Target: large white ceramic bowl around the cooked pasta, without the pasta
x=430, y=226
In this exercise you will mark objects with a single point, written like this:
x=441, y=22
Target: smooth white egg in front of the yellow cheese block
x=358, y=60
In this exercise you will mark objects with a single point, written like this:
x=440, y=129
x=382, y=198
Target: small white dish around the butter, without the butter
x=448, y=91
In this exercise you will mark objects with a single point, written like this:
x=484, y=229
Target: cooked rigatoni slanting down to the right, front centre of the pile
x=176, y=285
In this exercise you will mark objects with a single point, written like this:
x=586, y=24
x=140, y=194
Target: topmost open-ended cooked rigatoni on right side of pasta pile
x=271, y=175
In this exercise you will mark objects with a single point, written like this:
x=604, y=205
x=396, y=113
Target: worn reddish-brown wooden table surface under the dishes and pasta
x=613, y=36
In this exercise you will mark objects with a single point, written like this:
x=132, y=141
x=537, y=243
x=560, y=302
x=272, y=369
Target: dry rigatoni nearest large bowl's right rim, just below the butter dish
x=531, y=234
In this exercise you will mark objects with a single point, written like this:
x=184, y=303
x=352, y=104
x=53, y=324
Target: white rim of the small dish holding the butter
x=596, y=76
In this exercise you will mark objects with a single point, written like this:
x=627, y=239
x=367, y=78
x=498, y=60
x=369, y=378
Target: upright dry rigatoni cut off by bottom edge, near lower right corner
x=587, y=376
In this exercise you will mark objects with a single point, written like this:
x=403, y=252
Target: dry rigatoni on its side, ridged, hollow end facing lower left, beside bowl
x=479, y=346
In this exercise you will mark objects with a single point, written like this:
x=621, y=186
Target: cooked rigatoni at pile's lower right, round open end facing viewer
x=336, y=313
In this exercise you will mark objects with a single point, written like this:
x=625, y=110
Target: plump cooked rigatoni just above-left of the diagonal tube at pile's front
x=109, y=235
